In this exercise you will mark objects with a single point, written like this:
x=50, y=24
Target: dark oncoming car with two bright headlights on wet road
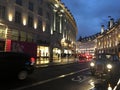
x=105, y=63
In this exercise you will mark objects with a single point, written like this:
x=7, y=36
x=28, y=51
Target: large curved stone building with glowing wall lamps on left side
x=43, y=28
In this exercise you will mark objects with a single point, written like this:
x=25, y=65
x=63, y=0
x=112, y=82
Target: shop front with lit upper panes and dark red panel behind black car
x=13, y=40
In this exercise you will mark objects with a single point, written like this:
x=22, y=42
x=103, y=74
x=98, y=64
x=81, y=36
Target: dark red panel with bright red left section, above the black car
x=19, y=46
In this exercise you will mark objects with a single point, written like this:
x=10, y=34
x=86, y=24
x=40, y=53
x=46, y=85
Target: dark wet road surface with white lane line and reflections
x=74, y=76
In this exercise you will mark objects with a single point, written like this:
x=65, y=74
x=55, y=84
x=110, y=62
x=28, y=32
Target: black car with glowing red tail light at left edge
x=16, y=64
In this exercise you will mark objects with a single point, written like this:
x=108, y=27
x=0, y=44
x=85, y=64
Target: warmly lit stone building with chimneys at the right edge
x=109, y=40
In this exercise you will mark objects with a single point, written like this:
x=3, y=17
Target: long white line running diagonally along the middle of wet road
x=51, y=79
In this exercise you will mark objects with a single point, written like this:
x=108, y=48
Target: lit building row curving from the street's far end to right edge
x=107, y=41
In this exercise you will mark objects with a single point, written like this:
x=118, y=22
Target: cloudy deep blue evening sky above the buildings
x=91, y=14
